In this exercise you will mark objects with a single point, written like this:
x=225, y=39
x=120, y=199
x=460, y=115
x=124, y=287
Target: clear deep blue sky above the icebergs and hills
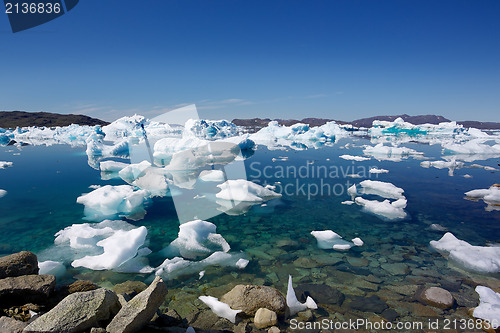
x=241, y=59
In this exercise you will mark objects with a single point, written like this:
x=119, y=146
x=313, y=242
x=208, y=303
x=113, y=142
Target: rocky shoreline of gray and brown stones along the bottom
x=33, y=303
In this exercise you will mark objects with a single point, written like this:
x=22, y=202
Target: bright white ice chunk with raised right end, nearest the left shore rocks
x=118, y=248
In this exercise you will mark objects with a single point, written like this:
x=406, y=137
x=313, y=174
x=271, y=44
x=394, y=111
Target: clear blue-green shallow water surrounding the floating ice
x=44, y=182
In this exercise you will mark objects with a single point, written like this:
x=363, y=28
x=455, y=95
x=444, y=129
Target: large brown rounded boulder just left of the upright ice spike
x=250, y=298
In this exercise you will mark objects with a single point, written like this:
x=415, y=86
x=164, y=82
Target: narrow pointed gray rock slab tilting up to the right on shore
x=139, y=310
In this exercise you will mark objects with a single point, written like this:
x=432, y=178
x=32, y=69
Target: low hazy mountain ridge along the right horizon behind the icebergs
x=255, y=124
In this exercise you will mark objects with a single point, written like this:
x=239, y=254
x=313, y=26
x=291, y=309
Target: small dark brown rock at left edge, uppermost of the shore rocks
x=17, y=264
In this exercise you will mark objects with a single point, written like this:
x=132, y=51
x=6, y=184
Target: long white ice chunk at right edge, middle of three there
x=484, y=259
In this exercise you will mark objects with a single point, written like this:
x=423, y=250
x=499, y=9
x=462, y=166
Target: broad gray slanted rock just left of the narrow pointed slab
x=77, y=312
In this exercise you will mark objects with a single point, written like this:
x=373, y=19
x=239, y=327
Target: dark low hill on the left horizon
x=13, y=119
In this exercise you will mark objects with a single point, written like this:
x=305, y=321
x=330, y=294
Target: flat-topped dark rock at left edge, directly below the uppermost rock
x=26, y=289
